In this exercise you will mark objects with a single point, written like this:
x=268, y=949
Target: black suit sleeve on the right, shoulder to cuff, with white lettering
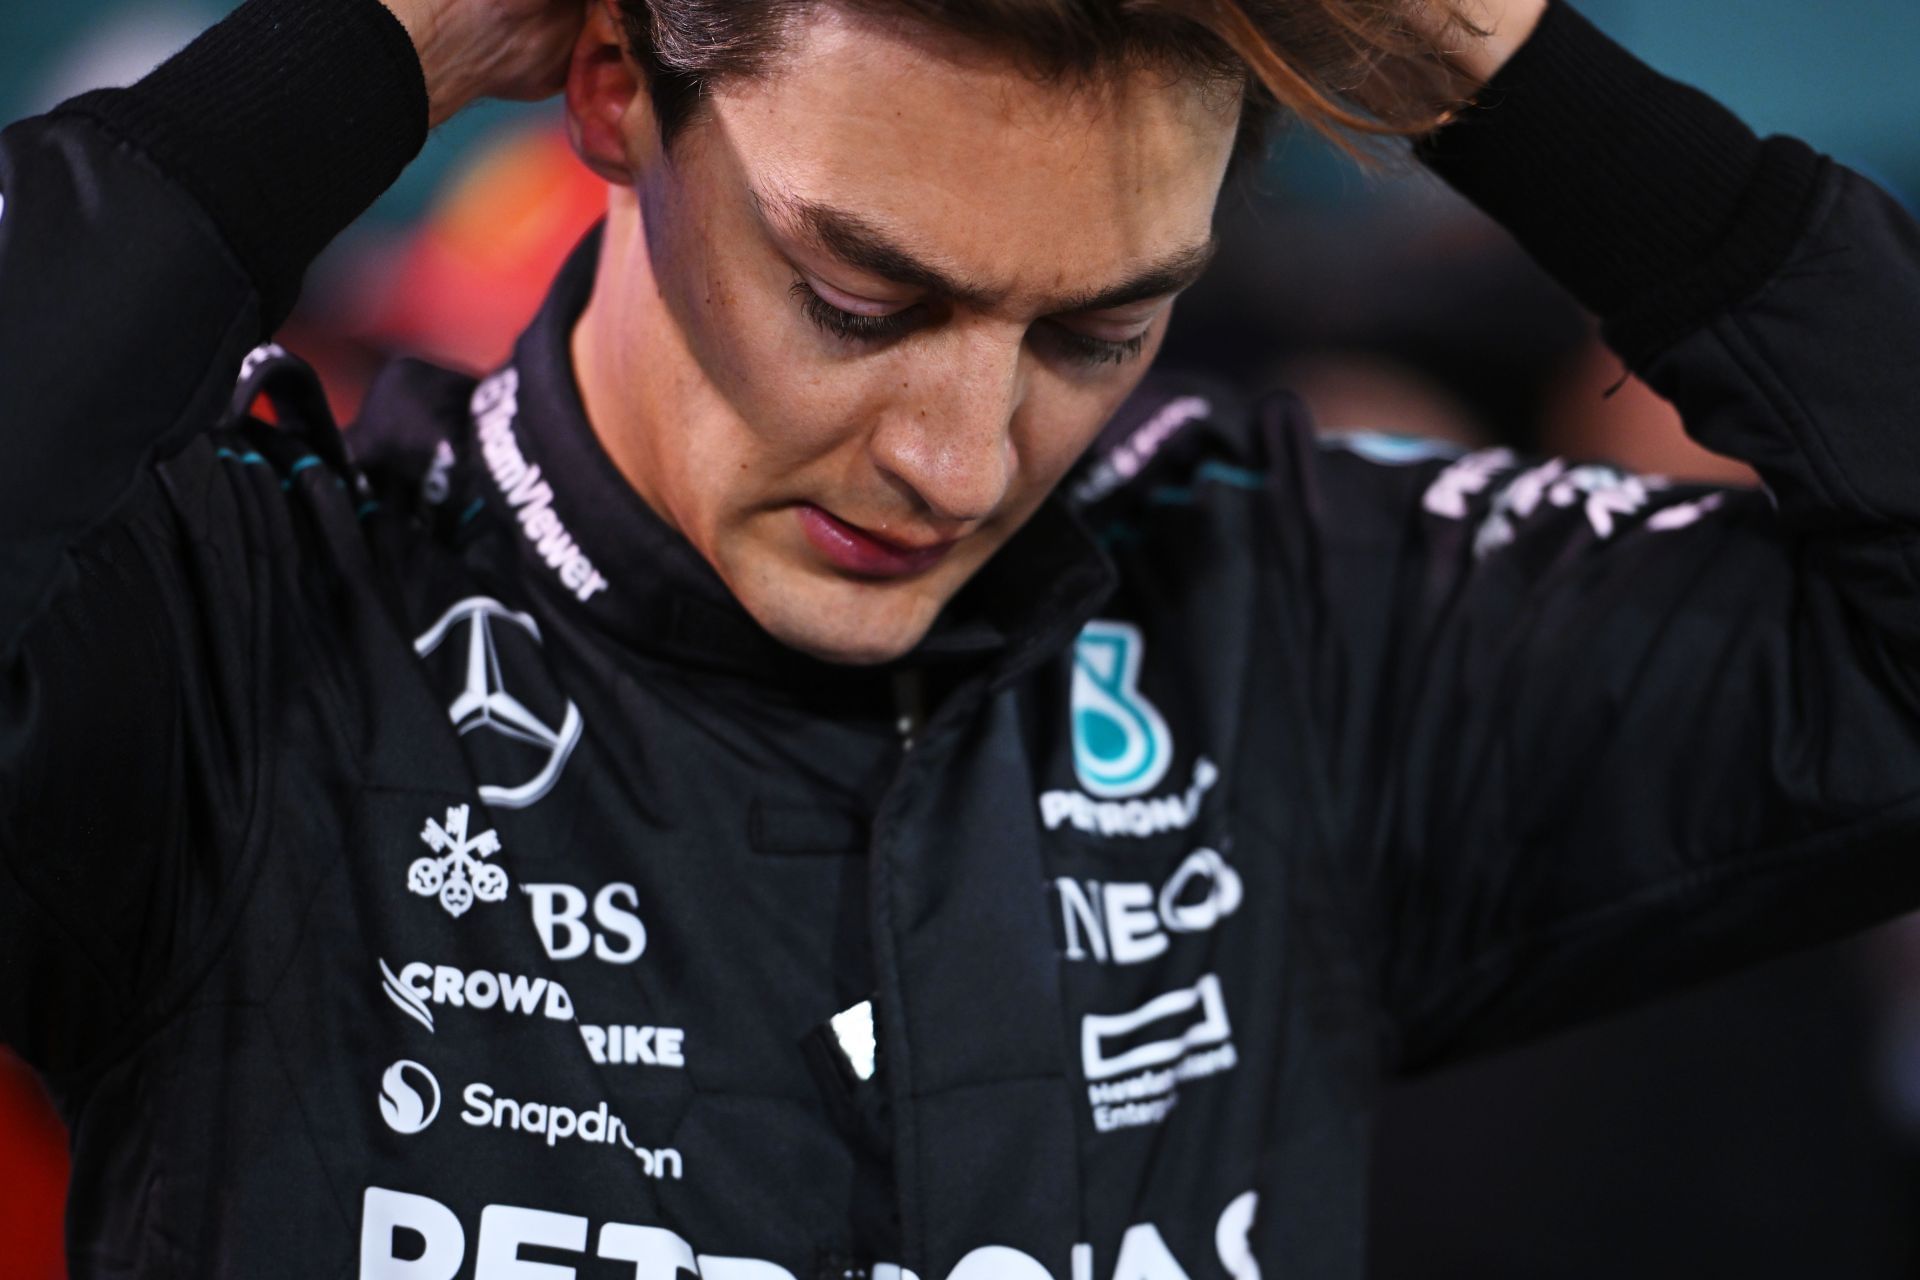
x=1593, y=734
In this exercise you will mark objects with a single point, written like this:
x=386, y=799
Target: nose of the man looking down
x=948, y=435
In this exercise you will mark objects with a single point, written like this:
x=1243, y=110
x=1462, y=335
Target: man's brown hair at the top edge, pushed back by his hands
x=1347, y=68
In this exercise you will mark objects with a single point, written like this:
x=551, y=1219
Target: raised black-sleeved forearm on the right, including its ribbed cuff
x=1762, y=289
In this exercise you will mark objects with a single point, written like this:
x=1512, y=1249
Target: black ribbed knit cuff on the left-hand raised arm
x=283, y=122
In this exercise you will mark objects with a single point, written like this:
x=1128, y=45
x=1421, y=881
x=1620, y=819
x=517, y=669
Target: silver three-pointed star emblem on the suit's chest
x=506, y=726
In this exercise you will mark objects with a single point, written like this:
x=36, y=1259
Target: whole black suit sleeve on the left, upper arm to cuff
x=149, y=241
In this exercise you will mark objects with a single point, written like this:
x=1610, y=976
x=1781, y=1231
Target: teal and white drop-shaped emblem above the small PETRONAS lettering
x=1122, y=747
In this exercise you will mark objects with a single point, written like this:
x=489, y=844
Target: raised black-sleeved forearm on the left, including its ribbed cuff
x=156, y=233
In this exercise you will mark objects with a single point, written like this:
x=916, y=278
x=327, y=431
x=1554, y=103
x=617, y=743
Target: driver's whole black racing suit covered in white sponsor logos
x=418, y=866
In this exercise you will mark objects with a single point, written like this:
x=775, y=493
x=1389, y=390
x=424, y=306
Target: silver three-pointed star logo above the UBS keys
x=517, y=736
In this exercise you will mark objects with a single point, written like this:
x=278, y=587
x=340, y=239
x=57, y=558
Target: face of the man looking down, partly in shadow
x=861, y=320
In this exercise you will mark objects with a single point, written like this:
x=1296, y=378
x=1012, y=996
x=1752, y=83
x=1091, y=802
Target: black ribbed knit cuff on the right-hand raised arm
x=1646, y=199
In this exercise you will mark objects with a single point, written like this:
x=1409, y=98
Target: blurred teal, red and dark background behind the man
x=1764, y=1127
